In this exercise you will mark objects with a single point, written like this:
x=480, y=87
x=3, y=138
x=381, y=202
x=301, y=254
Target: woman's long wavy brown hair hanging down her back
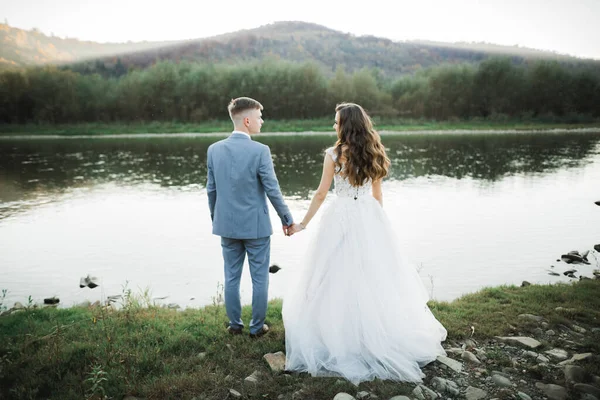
x=359, y=146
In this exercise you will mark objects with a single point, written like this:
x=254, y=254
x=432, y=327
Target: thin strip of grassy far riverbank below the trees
x=315, y=125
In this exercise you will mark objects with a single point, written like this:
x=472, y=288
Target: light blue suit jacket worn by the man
x=240, y=178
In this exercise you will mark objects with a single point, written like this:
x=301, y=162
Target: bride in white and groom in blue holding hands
x=358, y=310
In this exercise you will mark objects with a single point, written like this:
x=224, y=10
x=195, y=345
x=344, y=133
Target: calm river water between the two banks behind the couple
x=472, y=210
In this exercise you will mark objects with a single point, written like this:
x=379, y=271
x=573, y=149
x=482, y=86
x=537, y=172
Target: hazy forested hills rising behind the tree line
x=292, y=41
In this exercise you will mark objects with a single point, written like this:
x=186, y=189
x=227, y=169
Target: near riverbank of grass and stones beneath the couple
x=156, y=353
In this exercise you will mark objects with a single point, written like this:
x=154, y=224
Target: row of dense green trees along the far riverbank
x=193, y=92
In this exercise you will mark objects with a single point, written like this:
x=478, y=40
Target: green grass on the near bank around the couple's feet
x=156, y=353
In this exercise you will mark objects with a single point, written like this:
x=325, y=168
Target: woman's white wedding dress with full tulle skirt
x=359, y=311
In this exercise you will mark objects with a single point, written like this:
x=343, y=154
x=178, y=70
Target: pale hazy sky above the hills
x=565, y=26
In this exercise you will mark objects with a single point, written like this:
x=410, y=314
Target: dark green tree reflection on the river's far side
x=33, y=170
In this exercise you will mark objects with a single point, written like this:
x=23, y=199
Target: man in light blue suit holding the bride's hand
x=240, y=174
